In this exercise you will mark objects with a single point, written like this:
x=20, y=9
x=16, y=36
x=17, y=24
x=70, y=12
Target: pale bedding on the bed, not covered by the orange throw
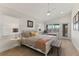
x=31, y=40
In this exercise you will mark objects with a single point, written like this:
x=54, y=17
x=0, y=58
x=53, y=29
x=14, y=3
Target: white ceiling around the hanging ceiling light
x=37, y=10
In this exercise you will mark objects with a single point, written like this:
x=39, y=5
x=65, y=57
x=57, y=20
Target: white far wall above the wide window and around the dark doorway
x=63, y=20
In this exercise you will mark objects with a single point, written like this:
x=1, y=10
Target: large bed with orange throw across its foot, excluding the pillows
x=41, y=43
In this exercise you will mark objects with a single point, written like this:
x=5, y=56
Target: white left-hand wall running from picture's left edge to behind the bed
x=7, y=23
